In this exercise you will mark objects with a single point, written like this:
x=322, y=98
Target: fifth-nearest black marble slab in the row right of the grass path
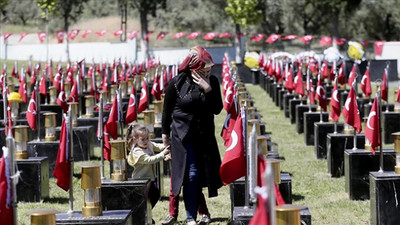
x=309, y=119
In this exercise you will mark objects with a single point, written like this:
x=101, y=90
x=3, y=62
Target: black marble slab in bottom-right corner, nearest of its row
x=384, y=193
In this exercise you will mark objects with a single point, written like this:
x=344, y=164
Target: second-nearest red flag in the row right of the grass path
x=350, y=111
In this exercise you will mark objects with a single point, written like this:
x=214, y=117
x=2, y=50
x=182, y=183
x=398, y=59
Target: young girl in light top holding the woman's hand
x=143, y=159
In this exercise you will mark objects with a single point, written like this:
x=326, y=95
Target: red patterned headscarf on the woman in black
x=198, y=58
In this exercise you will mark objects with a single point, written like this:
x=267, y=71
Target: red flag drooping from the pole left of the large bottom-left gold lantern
x=62, y=170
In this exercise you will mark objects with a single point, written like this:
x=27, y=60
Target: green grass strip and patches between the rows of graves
x=312, y=185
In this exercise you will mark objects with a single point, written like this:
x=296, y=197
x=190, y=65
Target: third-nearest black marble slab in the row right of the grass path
x=336, y=145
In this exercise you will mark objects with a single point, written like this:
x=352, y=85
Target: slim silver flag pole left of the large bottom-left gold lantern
x=71, y=160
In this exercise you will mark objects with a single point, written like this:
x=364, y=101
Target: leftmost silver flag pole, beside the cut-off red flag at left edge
x=10, y=142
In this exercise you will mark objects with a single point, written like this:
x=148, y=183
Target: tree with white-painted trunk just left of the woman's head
x=146, y=7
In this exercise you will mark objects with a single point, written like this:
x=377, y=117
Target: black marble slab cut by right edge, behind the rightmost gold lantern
x=391, y=124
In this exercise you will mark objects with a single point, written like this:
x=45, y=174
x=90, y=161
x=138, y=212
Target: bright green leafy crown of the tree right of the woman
x=243, y=12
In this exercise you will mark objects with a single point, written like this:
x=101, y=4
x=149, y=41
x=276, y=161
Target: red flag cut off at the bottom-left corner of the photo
x=6, y=210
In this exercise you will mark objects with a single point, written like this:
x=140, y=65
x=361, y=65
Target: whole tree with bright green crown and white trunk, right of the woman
x=242, y=13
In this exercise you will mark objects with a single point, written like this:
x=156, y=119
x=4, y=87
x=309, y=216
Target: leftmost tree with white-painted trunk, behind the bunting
x=67, y=10
